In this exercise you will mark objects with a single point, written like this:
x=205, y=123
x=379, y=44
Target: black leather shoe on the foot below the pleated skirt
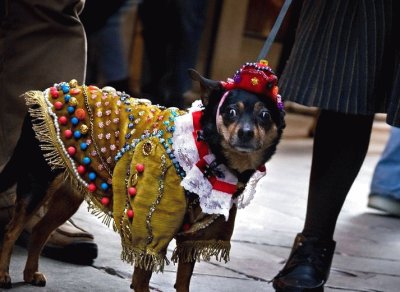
x=308, y=266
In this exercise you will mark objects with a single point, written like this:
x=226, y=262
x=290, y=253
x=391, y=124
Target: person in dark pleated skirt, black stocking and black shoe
x=345, y=61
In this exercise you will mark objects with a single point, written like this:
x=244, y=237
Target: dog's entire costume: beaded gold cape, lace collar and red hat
x=143, y=166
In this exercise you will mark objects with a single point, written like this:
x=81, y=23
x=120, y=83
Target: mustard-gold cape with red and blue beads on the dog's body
x=118, y=151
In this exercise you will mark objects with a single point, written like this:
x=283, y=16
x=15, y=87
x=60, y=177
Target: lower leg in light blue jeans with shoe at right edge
x=385, y=185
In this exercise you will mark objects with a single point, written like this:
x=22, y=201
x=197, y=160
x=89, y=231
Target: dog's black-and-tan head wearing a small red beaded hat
x=243, y=118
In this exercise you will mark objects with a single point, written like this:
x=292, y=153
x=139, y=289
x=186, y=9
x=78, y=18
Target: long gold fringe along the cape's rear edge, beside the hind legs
x=45, y=132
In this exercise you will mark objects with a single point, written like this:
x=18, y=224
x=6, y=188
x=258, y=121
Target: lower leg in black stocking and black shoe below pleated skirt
x=340, y=145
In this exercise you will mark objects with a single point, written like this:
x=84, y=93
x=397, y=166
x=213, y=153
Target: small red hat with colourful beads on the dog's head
x=257, y=78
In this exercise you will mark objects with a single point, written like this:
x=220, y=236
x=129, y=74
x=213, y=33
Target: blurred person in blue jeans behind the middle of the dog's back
x=109, y=26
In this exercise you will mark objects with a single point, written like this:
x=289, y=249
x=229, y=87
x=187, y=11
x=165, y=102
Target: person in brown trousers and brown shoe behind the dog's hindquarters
x=42, y=42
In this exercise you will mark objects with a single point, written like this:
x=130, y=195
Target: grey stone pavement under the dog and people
x=367, y=256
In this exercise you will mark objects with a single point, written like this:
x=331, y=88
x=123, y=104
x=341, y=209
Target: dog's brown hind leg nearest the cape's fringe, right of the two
x=63, y=204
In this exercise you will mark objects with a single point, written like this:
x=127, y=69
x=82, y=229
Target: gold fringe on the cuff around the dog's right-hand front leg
x=190, y=251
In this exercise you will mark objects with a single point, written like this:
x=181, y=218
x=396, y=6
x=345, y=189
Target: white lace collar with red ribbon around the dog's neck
x=215, y=192
